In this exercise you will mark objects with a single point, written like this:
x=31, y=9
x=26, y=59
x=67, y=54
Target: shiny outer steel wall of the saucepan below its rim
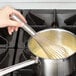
x=63, y=67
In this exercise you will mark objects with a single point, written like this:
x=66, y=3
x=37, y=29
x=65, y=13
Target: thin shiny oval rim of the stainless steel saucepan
x=56, y=29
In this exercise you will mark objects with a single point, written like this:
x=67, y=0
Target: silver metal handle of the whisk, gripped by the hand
x=25, y=26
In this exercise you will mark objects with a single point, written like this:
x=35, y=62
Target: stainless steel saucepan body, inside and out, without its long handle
x=55, y=67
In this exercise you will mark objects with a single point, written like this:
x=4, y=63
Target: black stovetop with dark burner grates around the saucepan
x=14, y=49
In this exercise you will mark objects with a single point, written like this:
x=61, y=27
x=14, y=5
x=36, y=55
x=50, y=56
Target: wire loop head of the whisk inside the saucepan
x=53, y=50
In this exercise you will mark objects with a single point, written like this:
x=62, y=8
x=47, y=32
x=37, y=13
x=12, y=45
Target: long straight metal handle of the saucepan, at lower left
x=18, y=66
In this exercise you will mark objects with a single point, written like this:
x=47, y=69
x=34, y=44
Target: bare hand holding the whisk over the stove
x=5, y=20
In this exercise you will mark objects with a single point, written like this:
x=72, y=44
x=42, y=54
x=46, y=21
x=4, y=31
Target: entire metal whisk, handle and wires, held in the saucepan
x=52, y=50
